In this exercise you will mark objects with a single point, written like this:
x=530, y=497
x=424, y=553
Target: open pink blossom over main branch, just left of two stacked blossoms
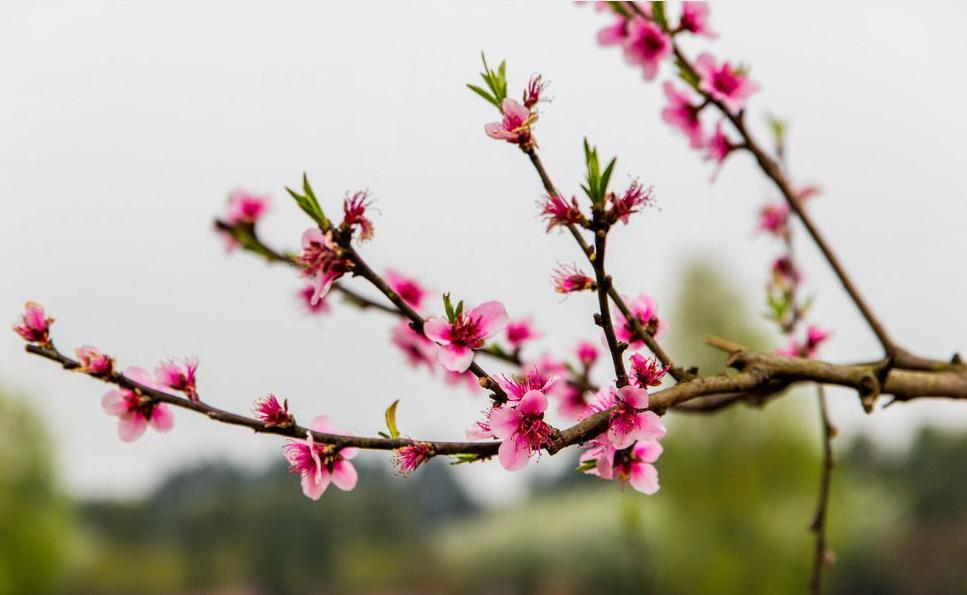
x=521, y=429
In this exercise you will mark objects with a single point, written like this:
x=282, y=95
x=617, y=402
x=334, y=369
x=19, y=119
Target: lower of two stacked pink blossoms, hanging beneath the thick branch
x=630, y=465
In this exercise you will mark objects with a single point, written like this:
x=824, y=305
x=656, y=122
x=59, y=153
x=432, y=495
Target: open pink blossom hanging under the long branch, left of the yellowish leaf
x=321, y=464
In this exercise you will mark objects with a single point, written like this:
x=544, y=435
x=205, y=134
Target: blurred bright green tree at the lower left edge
x=35, y=519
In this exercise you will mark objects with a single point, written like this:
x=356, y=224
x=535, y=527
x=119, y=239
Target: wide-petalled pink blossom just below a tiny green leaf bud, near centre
x=458, y=338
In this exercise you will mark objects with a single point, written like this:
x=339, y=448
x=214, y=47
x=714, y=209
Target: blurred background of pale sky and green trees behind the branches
x=124, y=126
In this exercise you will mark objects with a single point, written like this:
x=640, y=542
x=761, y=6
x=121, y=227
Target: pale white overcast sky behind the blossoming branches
x=124, y=126
